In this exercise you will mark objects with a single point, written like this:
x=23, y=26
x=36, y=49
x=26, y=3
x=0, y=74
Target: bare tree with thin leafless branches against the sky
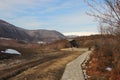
x=107, y=12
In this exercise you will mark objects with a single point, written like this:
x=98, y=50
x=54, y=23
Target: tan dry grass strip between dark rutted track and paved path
x=49, y=70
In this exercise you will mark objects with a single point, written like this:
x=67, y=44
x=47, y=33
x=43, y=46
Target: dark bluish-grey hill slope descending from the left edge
x=8, y=30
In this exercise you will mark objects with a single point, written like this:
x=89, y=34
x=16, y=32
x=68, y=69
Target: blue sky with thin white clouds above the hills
x=65, y=16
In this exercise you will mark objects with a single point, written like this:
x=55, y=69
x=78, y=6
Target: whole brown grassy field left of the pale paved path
x=37, y=61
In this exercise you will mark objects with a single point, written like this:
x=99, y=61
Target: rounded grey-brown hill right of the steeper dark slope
x=45, y=35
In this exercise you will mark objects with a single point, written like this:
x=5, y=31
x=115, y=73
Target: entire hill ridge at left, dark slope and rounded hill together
x=8, y=30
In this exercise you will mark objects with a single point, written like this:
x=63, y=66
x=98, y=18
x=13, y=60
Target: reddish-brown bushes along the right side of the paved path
x=103, y=57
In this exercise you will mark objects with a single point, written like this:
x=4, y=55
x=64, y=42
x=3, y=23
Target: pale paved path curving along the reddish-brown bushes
x=73, y=70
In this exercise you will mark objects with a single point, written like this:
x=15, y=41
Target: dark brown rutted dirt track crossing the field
x=11, y=72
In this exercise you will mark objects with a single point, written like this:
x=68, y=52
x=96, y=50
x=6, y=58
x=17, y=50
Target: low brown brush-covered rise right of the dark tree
x=90, y=41
